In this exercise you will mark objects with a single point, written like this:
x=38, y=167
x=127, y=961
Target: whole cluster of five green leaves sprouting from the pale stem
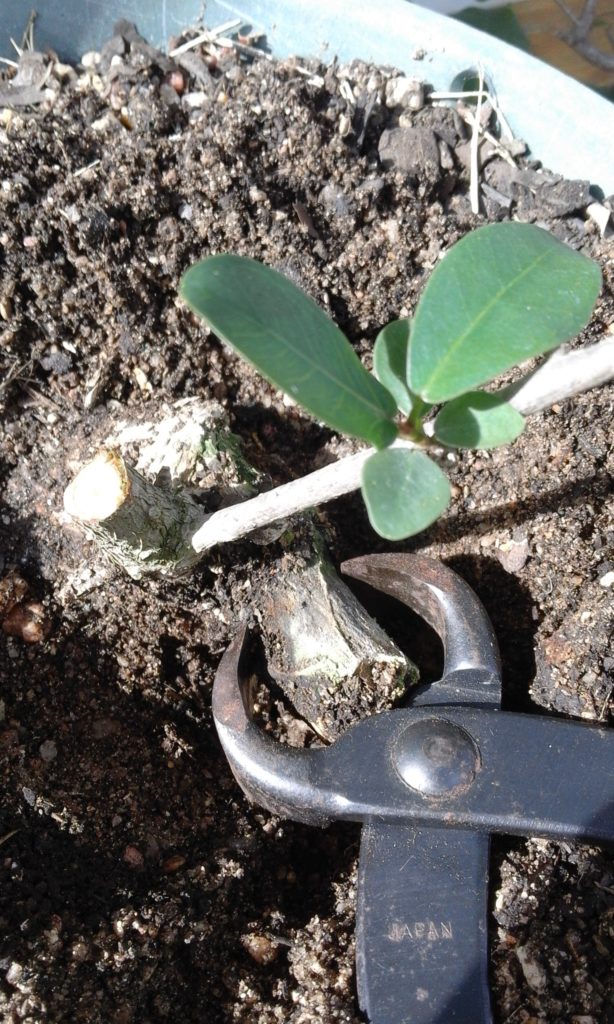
x=506, y=293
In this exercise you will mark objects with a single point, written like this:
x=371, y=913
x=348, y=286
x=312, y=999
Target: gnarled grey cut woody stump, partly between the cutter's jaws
x=333, y=662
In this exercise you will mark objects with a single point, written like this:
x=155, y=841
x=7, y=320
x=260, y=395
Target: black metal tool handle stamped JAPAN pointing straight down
x=422, y=943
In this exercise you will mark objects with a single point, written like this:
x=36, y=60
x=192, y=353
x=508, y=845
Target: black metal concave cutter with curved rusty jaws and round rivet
x=430, y=784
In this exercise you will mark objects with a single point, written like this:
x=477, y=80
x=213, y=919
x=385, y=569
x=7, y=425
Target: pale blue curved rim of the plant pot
x=564, y=123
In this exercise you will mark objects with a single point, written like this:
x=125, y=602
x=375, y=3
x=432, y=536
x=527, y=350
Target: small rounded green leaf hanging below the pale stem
x=405, y=492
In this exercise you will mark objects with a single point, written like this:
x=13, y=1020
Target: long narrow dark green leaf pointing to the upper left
x=281, y=331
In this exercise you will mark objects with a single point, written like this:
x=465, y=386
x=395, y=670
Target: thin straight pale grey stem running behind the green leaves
x=562, y=377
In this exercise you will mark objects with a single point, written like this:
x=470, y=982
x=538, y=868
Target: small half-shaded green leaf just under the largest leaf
x=478, y=420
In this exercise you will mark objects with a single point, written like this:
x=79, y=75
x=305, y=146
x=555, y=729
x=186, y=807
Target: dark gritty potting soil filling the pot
x=138, y=885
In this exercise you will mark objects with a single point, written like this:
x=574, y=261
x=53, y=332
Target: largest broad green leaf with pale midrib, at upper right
x=504, y=294
